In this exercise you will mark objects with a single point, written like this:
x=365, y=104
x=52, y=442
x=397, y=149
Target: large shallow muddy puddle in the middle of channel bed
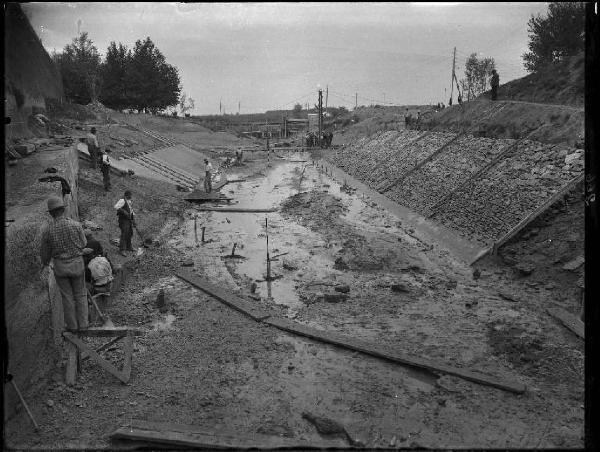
x=306, y=255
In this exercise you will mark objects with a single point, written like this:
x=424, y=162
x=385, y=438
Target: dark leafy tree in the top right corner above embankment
x=558, y=35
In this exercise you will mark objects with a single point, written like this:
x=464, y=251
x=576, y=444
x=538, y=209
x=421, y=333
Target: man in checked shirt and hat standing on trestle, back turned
x=62, y=242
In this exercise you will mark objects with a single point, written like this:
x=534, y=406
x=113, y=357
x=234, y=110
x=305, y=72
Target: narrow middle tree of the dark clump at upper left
x=114, y=77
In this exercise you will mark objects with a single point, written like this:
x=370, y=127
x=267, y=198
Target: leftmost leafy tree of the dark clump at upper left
x=79, y=65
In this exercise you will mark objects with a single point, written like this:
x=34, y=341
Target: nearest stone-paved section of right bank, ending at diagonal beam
x=496, y=201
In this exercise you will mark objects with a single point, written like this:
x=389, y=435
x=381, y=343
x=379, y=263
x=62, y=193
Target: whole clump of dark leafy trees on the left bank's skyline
x=138, y=78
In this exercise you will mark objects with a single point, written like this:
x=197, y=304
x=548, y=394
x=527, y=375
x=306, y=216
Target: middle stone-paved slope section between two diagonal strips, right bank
x=423, y=188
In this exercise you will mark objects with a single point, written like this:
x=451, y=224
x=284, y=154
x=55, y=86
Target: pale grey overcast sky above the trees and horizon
x=264, y=56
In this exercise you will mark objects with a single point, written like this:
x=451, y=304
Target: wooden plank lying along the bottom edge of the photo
x=195, y=437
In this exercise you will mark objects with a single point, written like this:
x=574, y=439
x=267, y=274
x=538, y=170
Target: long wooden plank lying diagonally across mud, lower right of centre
x=391, y=355
